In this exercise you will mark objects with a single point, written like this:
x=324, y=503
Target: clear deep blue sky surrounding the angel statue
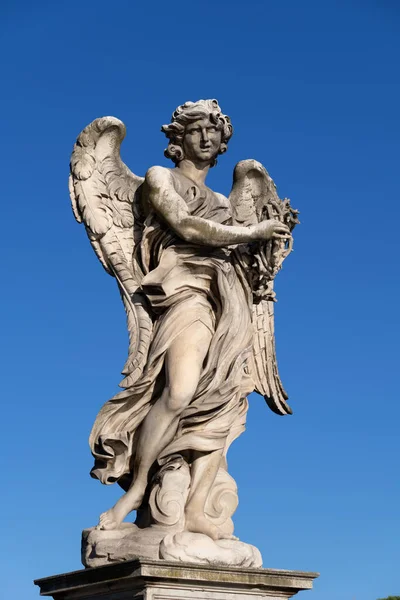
x=313, y=89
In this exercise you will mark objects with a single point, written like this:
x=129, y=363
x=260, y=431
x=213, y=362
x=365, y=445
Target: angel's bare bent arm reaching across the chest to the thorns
x=164, y=198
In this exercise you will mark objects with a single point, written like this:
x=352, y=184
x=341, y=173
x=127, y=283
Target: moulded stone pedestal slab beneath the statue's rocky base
x=144, y=579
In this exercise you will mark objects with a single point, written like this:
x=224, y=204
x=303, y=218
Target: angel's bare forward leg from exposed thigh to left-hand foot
x=184, y=362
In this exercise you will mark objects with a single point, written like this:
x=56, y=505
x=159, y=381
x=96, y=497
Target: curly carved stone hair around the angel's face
x=193, y=111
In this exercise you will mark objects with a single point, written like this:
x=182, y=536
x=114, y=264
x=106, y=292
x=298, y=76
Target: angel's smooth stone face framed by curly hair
x=202, y=141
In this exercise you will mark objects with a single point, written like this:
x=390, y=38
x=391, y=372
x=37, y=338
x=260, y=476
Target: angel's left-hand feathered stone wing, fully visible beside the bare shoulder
x=104, y=196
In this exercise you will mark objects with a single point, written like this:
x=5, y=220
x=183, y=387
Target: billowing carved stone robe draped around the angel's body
x=184, y=284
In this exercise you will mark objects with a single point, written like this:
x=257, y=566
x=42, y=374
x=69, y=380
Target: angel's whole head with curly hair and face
x=198, y=131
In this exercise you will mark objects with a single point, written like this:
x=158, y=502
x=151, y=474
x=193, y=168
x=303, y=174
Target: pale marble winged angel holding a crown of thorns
x=195, y=271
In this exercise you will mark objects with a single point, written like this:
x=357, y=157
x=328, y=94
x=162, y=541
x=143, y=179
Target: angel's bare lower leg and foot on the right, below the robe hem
x=204, y=471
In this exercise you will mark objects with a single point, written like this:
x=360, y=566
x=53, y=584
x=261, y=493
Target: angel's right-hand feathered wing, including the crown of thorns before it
x=254, y=198
